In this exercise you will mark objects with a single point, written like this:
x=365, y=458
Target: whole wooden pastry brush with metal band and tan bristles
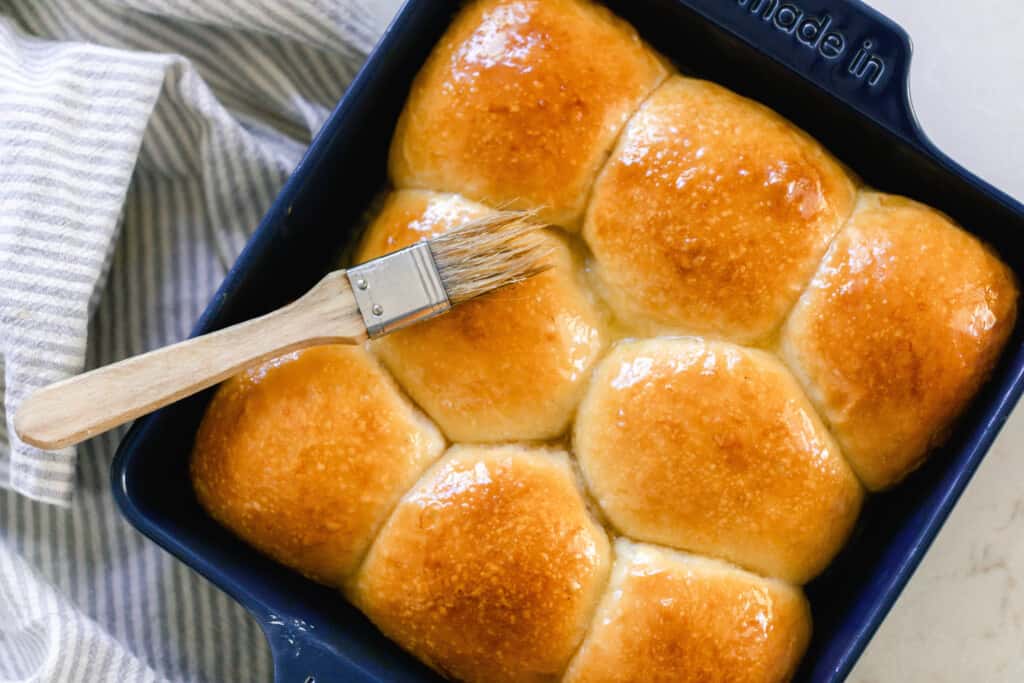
x=346, y=308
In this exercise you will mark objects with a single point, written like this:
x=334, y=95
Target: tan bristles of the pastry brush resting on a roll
x=486, y=255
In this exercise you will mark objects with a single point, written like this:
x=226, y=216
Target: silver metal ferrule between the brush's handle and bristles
x=399, y=290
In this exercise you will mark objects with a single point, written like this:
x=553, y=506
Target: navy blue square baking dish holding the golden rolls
x=837, y=68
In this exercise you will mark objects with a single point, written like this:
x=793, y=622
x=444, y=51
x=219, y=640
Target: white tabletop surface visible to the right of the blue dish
x=962, y=617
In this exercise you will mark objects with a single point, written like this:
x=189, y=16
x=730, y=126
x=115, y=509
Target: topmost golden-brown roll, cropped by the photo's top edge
x=521, y=103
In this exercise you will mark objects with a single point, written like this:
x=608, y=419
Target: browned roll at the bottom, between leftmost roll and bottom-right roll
x=491, y=569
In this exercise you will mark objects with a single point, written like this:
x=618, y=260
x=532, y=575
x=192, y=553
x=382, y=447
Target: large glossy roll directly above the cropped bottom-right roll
x=714, y=449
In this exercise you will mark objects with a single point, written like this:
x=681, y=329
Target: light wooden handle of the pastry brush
x=81, y=407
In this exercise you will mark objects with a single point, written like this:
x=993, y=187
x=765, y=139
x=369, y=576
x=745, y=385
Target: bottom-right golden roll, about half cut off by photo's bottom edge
x=670, y=618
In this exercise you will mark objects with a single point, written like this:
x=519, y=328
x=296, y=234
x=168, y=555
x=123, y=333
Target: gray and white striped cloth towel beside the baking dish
x=141, y=143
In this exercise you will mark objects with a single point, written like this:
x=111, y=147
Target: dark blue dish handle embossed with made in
x=844, y=47
